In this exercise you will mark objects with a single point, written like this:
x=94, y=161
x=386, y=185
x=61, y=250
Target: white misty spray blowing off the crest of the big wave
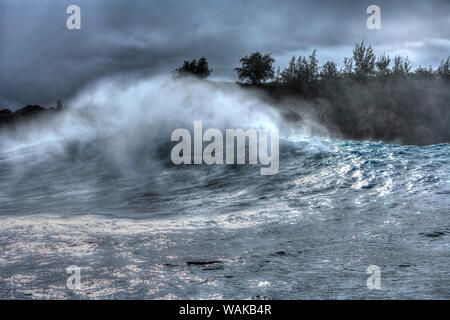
x=132, y=115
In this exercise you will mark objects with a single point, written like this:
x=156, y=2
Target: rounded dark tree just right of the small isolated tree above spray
x=256, y=68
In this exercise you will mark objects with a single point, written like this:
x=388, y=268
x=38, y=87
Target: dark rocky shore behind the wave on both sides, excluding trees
x=405, y=112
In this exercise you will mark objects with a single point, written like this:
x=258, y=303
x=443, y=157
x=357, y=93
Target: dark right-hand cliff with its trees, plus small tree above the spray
x=368, y=98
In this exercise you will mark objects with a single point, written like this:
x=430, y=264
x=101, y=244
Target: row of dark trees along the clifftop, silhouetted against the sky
x=304, y=72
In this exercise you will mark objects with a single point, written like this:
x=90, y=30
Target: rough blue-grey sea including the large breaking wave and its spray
x=95, y=188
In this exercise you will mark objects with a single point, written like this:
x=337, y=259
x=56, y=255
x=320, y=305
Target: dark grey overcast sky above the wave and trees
x=40, y=59
